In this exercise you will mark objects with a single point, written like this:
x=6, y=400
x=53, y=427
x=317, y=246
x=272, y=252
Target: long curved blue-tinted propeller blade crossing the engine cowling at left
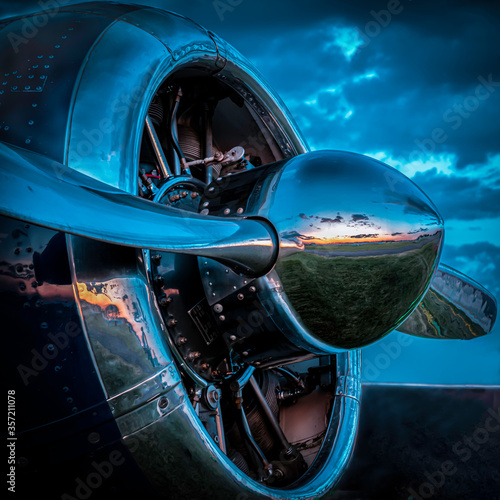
x=35, y=189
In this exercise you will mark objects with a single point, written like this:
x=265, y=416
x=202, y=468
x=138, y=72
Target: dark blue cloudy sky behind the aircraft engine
x=413, y=83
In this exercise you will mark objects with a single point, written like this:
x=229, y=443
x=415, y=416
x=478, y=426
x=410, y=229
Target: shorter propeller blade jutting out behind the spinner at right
x=455, y=307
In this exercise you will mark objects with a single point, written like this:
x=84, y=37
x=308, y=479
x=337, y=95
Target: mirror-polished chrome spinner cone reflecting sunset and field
x=370, y=242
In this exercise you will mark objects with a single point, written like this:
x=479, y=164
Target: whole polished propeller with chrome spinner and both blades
x=347, y=246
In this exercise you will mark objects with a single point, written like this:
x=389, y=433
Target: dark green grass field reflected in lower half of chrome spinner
x=352, y=301
